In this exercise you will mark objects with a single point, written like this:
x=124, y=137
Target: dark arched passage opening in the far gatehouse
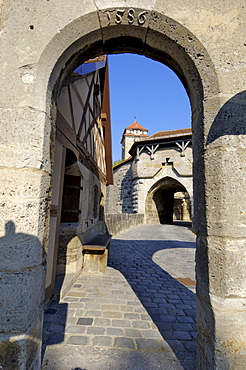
x=160, y=201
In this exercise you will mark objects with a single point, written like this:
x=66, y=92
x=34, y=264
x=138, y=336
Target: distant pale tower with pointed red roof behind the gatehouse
x=132, y=133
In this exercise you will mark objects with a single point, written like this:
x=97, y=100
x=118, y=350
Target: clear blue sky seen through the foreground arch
x=148, y=89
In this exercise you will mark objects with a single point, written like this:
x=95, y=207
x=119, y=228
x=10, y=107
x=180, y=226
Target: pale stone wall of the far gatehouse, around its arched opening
x=134, y=178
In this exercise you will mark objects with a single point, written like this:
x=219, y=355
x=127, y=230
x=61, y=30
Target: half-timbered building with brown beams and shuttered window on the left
x=82, y=168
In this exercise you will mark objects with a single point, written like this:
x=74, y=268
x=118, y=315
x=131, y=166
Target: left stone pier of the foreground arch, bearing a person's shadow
x=24, y=199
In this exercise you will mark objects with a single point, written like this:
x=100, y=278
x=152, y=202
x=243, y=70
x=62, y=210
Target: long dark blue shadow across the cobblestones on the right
x=170, y=304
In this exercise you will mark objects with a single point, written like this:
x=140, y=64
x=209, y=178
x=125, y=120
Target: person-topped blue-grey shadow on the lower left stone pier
x=22, y=266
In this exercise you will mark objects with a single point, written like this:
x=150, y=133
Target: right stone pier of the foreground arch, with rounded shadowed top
x=221, y=242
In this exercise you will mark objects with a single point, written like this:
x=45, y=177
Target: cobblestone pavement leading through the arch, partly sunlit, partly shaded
x=139, y=315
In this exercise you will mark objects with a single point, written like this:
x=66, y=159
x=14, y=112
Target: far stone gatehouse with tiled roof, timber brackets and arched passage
x=156, y=180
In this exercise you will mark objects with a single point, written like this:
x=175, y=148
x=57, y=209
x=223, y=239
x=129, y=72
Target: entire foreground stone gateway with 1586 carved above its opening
x=204, y=44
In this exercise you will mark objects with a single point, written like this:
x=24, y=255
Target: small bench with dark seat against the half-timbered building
x=95, y=254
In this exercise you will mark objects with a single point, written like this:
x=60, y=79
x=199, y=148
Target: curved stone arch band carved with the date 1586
x=159, y=38
